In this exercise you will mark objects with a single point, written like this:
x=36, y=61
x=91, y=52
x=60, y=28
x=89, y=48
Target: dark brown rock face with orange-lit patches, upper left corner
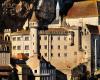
x=13, y=13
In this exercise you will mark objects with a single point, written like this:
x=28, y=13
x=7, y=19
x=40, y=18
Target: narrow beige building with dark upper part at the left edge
x=5, y=66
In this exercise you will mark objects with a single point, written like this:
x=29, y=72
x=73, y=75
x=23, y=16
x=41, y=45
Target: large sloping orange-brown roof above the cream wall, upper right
x=83, y=9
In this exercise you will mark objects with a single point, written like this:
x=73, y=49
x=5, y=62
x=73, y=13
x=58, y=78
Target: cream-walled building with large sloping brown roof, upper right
x=82, y=13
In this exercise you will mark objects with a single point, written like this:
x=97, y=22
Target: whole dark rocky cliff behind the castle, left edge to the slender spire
x=14, y=13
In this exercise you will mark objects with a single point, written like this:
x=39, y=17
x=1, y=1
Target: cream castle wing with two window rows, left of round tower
x=20, y=42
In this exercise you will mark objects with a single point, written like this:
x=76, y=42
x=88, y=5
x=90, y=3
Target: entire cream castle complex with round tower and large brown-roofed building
x=65, y=45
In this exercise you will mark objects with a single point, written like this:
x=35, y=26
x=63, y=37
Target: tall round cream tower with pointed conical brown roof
x=34, y=34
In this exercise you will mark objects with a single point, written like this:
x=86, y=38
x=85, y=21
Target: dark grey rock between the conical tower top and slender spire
x=47, y=11
